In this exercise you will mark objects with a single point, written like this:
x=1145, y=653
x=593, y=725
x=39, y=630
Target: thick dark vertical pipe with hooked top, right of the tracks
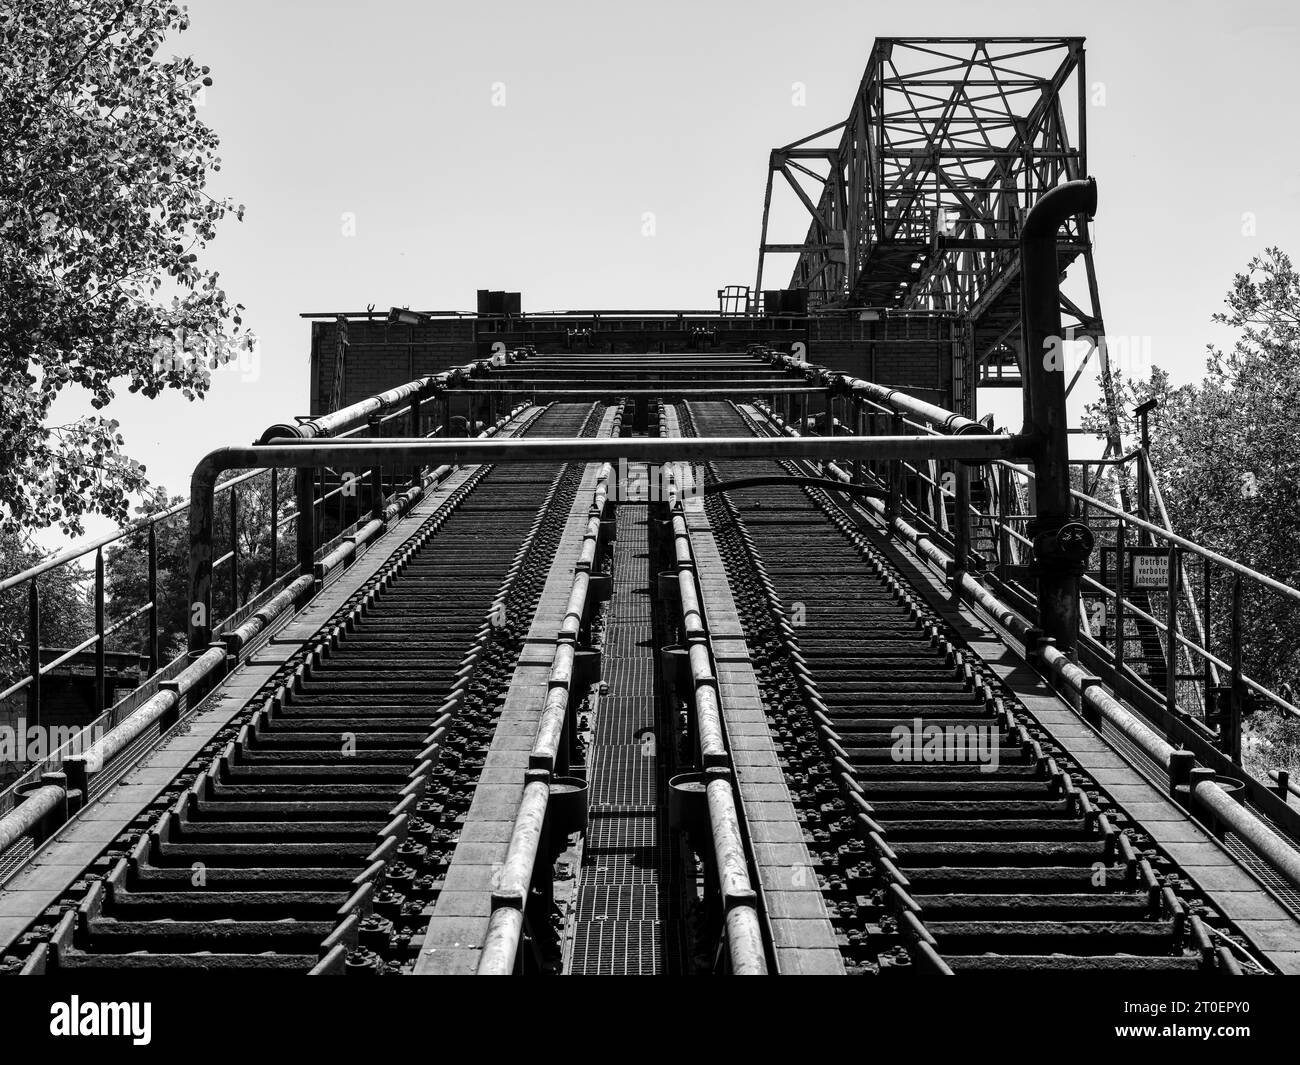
x=1045, y=402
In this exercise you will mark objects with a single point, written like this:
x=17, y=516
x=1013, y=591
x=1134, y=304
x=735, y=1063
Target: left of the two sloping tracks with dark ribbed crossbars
x=313, y=834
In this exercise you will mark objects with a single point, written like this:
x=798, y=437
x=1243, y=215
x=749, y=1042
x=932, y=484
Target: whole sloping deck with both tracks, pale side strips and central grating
x=242, y=839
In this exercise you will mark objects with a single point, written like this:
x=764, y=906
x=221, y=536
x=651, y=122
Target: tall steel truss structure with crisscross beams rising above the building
x=917, y=200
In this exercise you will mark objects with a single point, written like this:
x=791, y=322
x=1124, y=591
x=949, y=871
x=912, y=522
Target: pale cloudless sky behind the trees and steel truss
x=385, y=110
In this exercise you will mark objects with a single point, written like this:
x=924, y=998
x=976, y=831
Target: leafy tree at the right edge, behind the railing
x=1227, y=454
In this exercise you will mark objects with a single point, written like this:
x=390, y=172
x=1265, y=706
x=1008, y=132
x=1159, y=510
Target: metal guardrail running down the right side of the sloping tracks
x=1202, y=694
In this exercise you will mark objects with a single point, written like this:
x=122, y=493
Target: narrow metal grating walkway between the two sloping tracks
x=622, y=925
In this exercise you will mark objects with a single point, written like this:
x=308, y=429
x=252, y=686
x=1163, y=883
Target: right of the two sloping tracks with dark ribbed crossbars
x=948, y=832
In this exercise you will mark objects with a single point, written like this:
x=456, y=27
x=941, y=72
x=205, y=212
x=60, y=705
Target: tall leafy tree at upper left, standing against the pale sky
x=103, y=211
